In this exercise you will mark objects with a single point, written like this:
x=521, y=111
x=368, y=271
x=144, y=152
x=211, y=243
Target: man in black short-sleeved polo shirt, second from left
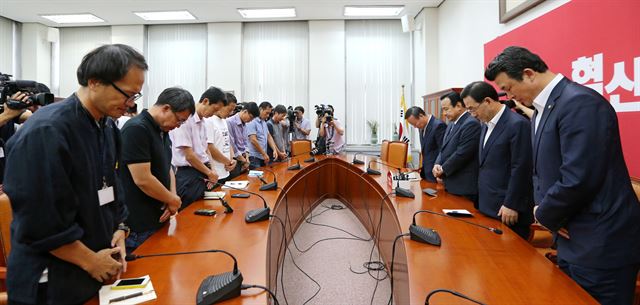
x=147, y=177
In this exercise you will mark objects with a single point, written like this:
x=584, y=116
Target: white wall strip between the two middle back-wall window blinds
x=224, y=56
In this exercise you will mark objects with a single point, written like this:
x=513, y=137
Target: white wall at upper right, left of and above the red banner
x=464, y=27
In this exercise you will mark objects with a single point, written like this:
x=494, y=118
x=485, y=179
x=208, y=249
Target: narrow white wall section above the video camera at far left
x=36, y=53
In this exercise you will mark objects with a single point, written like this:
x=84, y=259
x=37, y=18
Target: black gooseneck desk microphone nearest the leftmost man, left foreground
x=214, y=288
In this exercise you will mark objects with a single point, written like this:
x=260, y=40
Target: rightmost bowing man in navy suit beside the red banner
x=581, y=182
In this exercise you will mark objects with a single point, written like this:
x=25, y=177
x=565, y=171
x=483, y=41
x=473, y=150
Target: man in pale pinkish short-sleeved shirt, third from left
x=194, y=173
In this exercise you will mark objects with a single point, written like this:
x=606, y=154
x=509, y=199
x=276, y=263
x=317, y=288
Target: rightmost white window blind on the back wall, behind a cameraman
x=377, y=65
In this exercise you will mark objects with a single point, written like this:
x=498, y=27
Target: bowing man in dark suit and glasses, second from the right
x=505, y=189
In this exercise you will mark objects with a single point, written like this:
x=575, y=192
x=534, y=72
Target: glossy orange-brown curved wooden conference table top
x=491, y=268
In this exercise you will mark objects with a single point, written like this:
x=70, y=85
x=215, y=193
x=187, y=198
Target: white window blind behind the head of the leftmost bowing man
x=74, y=44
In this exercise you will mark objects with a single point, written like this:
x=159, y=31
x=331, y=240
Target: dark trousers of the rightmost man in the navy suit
x=608, y=286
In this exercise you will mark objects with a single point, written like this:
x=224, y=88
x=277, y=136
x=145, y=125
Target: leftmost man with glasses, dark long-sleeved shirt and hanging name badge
x=68, y=234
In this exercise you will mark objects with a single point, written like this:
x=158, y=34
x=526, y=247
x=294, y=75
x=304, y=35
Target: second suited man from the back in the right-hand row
x=457, y=163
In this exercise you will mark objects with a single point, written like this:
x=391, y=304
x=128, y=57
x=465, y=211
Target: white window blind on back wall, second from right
x=275, y=63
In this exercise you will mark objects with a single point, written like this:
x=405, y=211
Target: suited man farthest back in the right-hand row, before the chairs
x=431, y=135
